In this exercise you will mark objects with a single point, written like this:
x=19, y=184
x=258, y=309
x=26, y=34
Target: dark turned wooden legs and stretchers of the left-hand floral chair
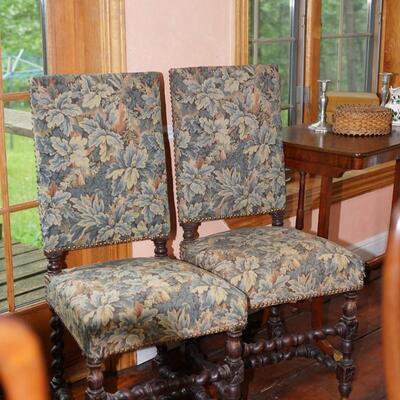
x=227, y=377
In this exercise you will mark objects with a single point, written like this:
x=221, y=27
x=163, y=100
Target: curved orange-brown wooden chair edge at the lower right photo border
x=391, y=309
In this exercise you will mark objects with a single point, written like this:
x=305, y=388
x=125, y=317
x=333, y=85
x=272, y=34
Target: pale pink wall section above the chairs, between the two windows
x=163, y=34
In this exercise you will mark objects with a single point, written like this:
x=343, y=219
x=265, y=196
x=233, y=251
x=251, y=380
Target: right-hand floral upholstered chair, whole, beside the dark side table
x=229, y=163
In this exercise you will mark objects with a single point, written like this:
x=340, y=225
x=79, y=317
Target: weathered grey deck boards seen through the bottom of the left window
x=29, y=268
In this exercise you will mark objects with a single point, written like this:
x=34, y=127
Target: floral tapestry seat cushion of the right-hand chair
x=275, y=265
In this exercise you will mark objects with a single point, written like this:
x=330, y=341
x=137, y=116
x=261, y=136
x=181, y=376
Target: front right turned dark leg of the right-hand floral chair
x=345, y=369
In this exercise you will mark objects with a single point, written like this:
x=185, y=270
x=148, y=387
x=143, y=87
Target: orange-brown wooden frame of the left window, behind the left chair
x=83, y=36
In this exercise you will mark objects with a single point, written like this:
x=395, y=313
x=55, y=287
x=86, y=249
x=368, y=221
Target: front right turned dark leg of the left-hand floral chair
x=233, y=389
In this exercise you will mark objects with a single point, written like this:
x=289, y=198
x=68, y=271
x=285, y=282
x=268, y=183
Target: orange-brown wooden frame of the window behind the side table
x=354, y=183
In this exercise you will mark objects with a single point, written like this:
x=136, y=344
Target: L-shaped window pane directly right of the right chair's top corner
x=278, y=53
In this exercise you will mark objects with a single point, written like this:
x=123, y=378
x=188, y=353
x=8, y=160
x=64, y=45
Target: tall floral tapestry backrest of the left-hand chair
x=100, y=159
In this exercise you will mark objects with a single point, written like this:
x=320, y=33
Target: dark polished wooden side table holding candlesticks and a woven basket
x=330, y=156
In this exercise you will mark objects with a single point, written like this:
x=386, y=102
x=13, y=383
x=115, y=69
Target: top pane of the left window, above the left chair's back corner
x=21, y=43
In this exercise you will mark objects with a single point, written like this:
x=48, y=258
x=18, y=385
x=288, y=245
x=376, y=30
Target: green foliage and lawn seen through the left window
x=22, y=57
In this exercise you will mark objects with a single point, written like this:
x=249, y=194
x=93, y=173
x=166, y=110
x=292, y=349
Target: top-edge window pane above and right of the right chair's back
x=274, y=17
